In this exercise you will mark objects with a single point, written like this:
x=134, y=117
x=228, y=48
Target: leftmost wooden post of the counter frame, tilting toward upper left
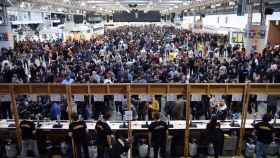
x=15, y=114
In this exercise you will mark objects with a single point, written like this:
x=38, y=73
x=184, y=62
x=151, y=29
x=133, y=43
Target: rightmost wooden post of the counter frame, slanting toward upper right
x=243, y=118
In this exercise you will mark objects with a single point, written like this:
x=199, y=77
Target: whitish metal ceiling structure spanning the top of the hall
x=110, y=6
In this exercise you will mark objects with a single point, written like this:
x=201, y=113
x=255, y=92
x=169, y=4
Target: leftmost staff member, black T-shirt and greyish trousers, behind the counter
x=28, y=132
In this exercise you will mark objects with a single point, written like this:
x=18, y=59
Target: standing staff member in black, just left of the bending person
x=103, y=137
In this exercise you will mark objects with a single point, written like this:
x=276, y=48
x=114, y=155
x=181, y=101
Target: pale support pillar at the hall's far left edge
x=6, y=36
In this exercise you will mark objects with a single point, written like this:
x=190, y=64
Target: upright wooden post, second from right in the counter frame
x=187, y=132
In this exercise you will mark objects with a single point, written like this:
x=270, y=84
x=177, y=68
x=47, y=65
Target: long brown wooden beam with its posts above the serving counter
x=244, y=90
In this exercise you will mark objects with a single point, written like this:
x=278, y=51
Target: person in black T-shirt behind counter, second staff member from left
x=78, y=132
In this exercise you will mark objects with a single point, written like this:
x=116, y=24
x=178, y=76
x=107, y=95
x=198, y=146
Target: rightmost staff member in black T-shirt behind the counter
x=264, y=133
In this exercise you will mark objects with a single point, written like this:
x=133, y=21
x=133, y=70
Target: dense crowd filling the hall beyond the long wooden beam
x=148, y=54
